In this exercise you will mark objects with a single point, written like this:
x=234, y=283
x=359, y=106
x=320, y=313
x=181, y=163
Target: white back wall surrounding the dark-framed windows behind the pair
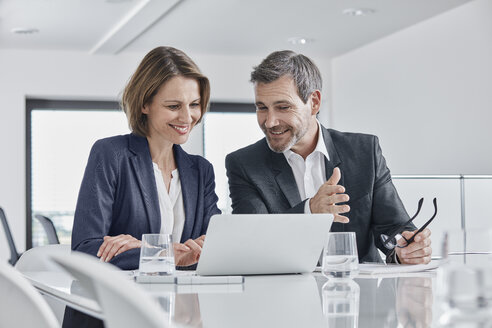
x=71, y=75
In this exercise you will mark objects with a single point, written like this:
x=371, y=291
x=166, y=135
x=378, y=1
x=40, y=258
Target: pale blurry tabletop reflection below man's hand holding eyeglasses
x=414, y=301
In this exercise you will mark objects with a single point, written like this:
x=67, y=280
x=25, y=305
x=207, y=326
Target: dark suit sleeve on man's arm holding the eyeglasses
x=388, y=211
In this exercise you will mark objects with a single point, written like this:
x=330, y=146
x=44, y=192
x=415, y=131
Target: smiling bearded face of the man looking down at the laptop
x=282, y=115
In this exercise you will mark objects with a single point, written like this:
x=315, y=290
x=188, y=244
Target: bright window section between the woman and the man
x=228, y=127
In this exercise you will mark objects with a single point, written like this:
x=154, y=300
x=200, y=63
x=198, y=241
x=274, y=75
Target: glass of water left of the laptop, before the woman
x=156, y=255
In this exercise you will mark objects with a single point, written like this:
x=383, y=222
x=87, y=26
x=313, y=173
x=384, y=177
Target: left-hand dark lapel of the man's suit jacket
x=285, y=178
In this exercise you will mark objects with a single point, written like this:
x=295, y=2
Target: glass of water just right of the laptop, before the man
x=340, y=259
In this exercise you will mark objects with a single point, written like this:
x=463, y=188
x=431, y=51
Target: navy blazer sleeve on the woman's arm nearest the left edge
x=94, y=211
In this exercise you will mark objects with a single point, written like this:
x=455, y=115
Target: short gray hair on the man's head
x=286, y=62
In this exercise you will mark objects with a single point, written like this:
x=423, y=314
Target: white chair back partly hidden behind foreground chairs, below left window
x=38, y=258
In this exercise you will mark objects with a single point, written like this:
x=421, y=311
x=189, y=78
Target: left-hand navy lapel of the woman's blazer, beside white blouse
x=143, y=170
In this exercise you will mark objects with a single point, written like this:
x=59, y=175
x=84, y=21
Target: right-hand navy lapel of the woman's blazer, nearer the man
x=188, y=175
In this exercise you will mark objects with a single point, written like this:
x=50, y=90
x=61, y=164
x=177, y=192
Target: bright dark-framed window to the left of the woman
x=60, y=135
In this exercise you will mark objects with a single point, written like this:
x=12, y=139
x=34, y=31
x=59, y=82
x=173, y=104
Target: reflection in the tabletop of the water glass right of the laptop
x=341, y=303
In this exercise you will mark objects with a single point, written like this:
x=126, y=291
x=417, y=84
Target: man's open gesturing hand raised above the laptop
x=327, y=197
